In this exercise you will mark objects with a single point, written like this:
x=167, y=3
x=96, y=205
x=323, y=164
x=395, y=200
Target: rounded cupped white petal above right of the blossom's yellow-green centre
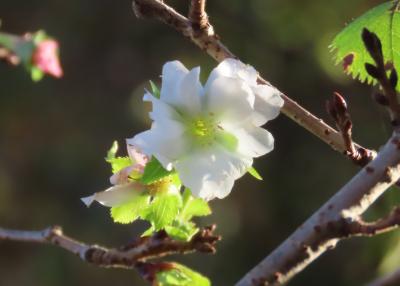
x=230, y=100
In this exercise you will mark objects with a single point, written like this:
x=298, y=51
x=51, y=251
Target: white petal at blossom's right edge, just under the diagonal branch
x=268, y=104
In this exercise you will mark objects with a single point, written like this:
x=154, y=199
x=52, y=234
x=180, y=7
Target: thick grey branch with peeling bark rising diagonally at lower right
x=337, y=219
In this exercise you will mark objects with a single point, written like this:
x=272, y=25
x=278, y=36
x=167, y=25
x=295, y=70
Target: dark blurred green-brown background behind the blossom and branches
x=54, y=136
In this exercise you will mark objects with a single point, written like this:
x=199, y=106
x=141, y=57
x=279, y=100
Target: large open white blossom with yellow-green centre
x=209, y=134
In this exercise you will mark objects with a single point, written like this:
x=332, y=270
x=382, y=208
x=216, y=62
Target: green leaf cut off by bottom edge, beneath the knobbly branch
x=181, y=276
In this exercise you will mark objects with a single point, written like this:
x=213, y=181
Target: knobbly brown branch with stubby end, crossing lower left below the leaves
x=143, y=249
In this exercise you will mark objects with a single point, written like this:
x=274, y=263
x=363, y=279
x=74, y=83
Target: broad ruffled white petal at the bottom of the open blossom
x=210, y=173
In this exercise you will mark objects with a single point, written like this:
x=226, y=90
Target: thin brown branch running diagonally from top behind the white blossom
x=205, y=38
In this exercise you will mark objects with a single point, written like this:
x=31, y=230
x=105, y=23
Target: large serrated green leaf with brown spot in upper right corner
x=383, y=20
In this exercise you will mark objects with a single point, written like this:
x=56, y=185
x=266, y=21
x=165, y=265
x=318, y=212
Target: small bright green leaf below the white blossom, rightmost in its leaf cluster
x=193, y=206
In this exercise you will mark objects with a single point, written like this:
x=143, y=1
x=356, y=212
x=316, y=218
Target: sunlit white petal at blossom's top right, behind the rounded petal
x=234, y=69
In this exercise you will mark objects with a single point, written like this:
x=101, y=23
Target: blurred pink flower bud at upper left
x=45, y=57
